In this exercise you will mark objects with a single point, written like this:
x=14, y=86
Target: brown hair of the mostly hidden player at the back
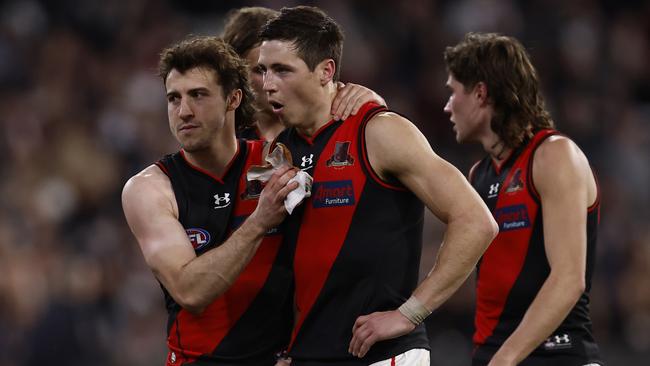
x=243, y=26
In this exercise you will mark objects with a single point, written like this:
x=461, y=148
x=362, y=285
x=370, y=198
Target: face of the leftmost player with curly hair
x=196, y=107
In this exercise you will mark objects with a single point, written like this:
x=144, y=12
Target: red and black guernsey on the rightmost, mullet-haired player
x=514, y=267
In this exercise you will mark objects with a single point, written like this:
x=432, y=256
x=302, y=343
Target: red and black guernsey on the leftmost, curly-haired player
x=251, y=321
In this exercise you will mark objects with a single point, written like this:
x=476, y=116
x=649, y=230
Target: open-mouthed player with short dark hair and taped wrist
x=358, y=238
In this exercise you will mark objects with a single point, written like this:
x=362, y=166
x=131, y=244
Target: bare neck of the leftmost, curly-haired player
x=216, y=157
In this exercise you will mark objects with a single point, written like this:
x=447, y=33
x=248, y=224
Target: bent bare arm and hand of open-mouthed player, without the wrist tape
x=407, y=156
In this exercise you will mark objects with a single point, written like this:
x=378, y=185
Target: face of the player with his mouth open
x=292, y=89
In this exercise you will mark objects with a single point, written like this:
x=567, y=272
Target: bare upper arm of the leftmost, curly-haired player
x=162, y=239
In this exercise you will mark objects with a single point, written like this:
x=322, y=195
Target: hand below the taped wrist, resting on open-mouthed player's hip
x=369, y=329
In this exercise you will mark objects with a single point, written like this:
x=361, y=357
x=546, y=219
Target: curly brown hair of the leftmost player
x=215, y=54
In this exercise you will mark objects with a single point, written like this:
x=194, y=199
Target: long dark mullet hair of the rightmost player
x=504, y=66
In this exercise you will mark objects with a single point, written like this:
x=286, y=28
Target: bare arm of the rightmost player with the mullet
x=566, y=187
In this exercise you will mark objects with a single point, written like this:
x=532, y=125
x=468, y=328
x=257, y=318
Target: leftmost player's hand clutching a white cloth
x=270, y=209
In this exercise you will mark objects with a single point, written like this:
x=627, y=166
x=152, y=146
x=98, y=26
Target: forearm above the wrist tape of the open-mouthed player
x=461, y=249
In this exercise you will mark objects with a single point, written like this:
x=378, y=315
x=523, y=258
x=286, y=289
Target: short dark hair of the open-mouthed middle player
x=316, y=35
